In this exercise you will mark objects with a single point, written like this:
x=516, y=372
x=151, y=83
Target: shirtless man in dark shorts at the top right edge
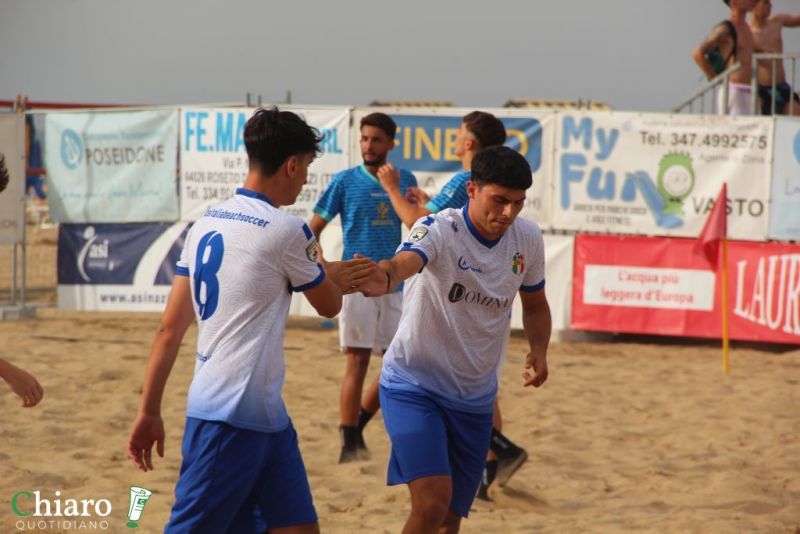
x=766, y=30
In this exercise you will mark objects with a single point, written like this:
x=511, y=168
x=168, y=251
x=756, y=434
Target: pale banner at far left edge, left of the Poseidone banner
x=12, y=200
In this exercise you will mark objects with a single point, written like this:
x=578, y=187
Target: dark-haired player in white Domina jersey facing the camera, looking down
x=439, y=378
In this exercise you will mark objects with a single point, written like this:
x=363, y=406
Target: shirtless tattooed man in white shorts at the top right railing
x=732, y=48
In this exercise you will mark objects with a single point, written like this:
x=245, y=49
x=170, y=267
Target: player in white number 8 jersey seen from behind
x=242, y=470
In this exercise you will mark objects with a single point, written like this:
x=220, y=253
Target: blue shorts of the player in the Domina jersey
x=429, y=439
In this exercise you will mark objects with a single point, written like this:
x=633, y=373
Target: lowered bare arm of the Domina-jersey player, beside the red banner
x=536, y=323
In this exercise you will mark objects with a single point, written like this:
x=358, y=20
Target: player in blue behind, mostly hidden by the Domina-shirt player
x=478, y=130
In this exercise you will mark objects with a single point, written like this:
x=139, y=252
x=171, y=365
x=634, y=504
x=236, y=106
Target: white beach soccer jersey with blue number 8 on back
x=243, y=258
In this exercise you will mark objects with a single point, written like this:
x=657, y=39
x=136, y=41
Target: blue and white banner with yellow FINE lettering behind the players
x=425, y=145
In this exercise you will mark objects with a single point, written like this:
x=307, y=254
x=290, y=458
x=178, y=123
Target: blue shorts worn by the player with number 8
x=239, y=481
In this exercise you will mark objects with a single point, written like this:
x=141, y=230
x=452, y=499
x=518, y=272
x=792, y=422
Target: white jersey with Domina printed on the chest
x=457, y=310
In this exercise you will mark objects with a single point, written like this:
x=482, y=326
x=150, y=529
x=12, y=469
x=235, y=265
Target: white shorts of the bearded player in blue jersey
x=369, y=322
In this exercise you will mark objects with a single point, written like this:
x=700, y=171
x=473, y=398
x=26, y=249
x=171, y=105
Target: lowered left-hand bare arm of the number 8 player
x=149, y=427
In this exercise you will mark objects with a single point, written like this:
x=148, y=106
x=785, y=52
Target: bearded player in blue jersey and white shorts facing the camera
x=371, y=228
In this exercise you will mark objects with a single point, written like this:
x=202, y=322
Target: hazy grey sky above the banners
x=632, y=54
